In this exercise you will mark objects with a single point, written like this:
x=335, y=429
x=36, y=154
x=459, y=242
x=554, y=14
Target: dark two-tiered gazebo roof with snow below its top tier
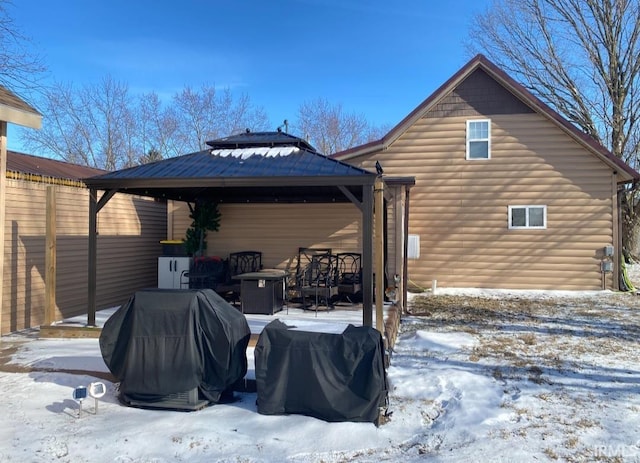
x=254, y=167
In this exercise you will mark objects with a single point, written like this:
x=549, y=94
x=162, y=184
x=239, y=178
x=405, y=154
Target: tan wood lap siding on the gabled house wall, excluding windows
x=459, y=207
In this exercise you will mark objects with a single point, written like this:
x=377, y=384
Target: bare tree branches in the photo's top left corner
x=20, y=69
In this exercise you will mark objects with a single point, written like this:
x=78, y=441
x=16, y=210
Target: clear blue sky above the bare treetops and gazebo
x=379, y=58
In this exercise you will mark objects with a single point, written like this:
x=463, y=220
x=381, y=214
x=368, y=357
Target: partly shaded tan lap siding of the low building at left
x=130, y=229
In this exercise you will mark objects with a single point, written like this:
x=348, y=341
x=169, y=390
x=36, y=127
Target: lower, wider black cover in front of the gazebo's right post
x=334, y=377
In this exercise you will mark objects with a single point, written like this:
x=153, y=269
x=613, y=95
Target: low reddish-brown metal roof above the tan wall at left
x=45, y=167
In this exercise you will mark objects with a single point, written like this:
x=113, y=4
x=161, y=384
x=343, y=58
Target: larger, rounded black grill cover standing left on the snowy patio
x=168, y=341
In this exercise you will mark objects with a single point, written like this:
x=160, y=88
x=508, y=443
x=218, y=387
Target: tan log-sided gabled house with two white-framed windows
x=508, y=193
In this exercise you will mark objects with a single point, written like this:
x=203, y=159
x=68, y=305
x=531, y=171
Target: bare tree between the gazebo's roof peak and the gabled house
x=330, y=129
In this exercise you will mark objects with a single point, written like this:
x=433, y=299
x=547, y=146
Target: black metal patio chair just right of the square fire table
x=319, y=281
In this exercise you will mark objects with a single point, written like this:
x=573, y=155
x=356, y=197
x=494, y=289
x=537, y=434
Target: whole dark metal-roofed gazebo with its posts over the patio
x=254, y=167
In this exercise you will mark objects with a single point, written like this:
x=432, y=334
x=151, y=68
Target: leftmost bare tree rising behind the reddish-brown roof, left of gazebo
x=92, y=126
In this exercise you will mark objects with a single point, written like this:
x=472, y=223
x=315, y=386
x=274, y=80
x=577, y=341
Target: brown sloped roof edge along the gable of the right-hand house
x=624, y=171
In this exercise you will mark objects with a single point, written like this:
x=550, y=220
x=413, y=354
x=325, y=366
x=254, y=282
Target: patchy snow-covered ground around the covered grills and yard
x=488, y=376
